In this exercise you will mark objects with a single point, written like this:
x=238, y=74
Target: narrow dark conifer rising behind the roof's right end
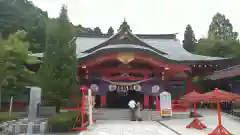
x=189, y=39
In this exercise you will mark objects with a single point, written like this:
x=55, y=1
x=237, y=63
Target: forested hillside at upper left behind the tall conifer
x=23, y=15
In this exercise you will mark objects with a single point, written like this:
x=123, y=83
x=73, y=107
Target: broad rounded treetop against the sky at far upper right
x=221, y=28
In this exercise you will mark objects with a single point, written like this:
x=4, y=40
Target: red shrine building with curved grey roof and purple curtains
x=127, y=66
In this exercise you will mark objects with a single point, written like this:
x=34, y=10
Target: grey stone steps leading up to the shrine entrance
x=124, y=114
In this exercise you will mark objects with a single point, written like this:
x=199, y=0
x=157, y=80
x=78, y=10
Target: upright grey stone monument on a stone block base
x=32, y=125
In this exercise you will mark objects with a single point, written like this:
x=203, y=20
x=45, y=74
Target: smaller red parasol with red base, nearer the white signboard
x=193, y=97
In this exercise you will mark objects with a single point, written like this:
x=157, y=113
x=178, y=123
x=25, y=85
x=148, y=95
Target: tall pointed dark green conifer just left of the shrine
x=57, y=75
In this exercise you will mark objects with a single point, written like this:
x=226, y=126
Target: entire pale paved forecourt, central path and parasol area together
x=231, y=123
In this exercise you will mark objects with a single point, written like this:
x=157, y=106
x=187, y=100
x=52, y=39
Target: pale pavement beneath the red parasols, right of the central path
x=231, y=123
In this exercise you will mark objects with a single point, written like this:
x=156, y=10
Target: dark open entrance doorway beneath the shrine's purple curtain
x=120, y=100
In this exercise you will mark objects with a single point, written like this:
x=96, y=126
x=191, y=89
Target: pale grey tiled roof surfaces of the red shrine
x=172, y=47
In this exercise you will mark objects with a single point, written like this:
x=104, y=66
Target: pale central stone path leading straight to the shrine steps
x=127, y=128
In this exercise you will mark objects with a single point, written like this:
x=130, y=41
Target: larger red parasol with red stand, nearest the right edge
x=219, y=96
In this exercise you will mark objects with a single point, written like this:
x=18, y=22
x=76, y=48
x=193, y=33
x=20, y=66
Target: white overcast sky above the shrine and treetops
x=146, y=16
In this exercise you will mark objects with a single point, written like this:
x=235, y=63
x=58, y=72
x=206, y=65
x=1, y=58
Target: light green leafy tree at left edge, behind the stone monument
x=14, y=56
